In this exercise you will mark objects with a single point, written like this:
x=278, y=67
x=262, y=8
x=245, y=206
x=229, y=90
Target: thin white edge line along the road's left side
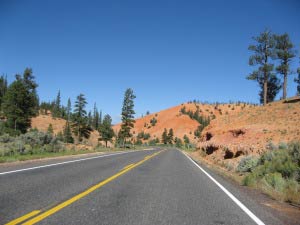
x=66, y=162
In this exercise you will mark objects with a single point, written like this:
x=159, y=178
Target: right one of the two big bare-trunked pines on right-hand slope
x=285, y=53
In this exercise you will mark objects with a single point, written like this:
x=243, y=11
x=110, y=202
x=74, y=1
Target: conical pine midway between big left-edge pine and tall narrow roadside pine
x=80, y=123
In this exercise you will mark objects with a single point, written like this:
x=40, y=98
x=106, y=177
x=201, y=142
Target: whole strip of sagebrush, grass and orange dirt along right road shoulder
x=276, y=172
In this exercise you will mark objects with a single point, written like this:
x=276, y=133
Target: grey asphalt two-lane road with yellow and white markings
x=142, y=187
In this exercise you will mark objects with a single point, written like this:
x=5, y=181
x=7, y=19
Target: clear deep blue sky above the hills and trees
x=169, y=52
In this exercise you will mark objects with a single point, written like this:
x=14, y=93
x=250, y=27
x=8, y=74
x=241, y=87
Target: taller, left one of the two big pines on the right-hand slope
x=263, y=52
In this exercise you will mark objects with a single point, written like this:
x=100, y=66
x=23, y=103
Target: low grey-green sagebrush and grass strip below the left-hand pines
x=35, y=144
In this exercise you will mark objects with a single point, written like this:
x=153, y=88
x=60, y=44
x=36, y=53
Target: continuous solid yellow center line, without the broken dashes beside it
x=85, y=193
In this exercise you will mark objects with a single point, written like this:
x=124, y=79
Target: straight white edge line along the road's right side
x=241, y=205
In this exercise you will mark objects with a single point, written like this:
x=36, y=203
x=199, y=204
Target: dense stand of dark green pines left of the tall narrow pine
x=20, y=102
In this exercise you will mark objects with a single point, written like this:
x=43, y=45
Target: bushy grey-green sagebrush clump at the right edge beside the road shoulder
x=276, y=172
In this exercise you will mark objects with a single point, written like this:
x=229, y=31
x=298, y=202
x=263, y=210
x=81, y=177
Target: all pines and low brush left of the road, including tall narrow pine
x=19, y=103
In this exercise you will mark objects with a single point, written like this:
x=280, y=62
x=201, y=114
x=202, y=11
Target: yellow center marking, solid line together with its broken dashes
x=38, y=217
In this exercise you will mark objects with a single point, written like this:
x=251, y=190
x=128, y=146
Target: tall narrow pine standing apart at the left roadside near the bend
x=127, y=115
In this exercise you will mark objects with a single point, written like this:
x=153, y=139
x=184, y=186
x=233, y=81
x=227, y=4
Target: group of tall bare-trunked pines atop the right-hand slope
x=272, y=56
